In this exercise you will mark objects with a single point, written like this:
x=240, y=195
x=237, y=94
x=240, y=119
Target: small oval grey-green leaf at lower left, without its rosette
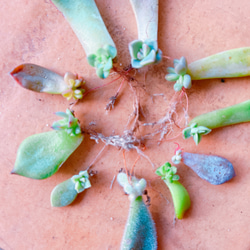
x=63, y=194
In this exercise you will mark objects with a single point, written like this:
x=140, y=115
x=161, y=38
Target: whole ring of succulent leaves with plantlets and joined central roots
x=41, y=155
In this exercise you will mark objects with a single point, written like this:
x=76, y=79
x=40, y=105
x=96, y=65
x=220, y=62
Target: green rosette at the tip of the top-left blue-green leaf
x=102, y=60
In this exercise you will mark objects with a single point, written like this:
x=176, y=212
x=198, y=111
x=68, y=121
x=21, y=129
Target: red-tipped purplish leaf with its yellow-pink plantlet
x=40, y=79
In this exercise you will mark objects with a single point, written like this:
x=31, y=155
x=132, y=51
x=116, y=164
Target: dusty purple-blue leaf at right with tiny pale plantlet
x=212, y=168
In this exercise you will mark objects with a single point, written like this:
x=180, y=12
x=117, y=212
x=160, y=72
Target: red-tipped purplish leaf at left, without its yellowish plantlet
x=39, y=79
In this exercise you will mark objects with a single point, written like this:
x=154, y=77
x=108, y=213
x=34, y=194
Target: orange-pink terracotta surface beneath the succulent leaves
x=35, y=32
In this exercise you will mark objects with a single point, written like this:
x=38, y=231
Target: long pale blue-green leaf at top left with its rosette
x=86, y=21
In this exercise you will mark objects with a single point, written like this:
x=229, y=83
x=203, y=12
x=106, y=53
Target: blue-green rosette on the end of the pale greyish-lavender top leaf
x=144, y=53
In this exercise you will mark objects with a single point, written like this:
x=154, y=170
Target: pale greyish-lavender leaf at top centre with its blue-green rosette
x=144, y=51
